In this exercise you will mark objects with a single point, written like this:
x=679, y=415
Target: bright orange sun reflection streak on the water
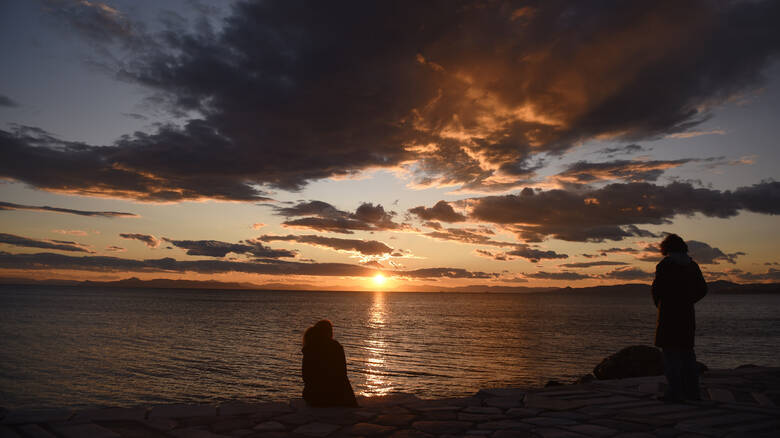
x=377, y=382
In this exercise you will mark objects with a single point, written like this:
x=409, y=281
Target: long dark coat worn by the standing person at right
x=677, y=286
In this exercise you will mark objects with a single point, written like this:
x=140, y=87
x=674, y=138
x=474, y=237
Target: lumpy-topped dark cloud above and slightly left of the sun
x=321, y=216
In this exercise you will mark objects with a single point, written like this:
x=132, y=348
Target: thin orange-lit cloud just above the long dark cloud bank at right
x=584, y=172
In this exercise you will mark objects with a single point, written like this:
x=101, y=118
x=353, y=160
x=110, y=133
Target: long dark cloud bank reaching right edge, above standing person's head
x=611, y=212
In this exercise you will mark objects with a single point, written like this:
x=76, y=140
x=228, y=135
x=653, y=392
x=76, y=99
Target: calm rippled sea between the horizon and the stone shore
x=79, y=347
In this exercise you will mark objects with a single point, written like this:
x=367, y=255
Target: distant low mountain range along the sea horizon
x=719, y=286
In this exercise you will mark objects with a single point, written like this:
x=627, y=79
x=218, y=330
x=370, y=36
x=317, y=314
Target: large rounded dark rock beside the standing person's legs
x=634, y=361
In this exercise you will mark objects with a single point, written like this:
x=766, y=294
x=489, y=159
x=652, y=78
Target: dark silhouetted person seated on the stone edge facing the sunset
x=325, y=368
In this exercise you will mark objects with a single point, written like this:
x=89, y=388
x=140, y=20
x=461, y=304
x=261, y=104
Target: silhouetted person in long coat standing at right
x=677, y=286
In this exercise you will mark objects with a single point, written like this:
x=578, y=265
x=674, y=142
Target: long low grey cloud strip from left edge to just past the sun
x=49, y=261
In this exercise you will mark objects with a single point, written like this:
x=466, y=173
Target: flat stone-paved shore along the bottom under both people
x=744, y=402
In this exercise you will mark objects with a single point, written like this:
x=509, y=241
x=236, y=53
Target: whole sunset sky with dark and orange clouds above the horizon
x=388, y=145
